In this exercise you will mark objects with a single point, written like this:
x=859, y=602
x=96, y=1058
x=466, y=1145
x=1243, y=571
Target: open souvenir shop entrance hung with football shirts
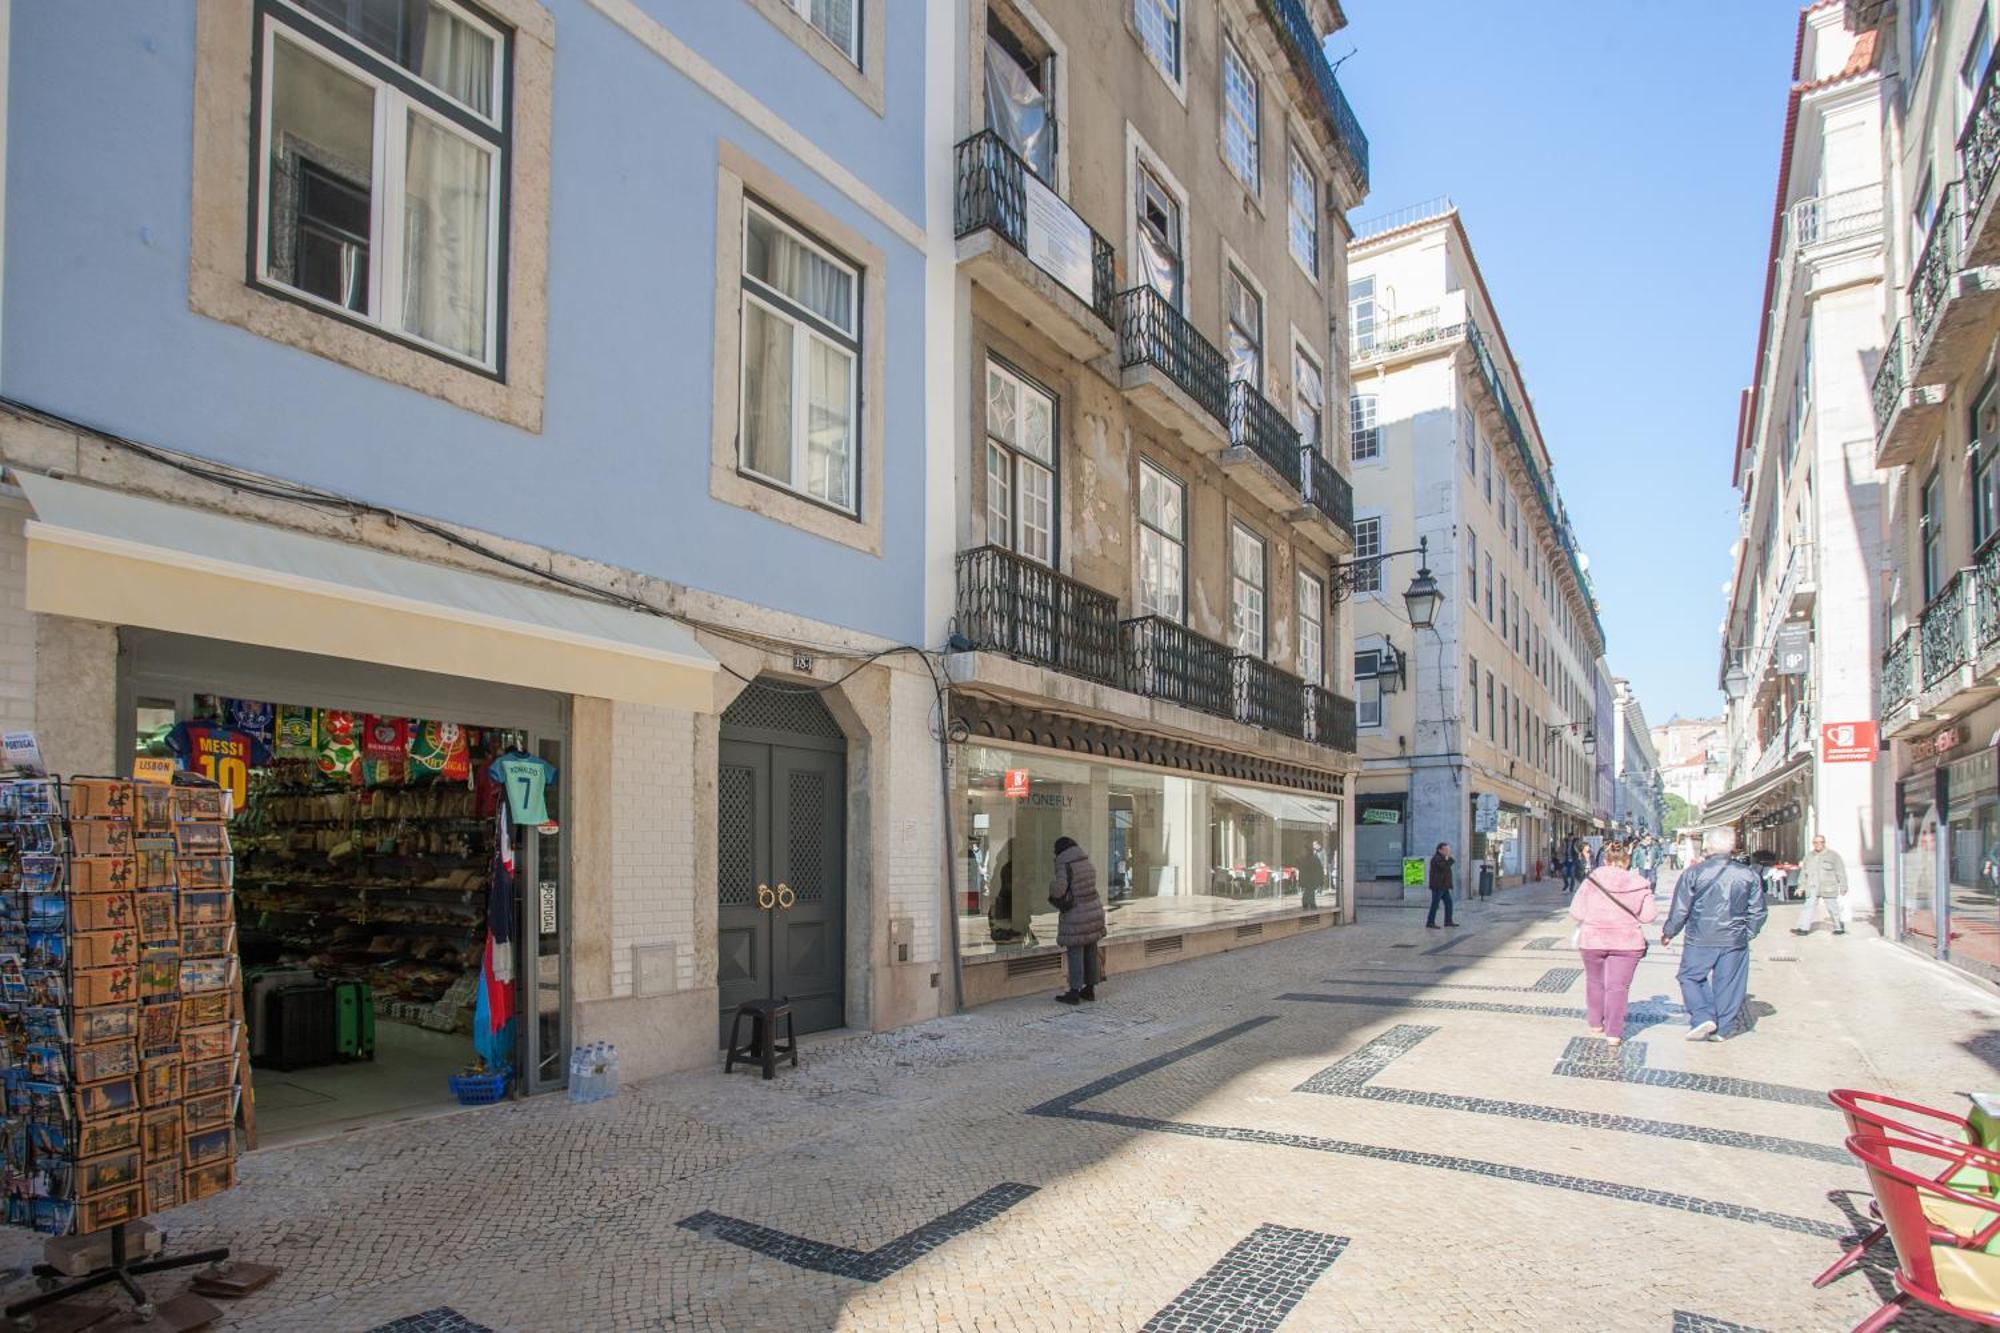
x=373, y=806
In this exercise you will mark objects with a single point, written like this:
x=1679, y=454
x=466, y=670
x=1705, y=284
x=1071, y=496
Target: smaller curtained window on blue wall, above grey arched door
x=801, y=361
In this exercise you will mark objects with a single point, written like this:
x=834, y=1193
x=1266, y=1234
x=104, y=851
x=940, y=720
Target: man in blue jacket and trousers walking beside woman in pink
x=1719, y=904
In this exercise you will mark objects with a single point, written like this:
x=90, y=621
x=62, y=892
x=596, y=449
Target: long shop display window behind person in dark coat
x=1171, y=852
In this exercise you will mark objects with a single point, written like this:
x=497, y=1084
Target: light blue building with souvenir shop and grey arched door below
x=549, y=369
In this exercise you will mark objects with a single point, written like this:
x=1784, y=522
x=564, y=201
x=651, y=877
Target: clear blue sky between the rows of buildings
x=1615, y=163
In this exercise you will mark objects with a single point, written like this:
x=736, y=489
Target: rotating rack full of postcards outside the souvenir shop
x=121, y=1016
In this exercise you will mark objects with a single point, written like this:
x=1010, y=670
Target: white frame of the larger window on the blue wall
x=389, y=177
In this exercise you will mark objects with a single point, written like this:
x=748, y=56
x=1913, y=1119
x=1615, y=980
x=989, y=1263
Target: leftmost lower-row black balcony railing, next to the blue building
x=1029, y=611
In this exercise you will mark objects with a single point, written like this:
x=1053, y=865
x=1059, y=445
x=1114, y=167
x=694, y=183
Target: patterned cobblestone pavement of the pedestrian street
x=1355, y=1130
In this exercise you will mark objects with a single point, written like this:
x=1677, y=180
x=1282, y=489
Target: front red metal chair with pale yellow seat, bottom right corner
x=1941, y=1234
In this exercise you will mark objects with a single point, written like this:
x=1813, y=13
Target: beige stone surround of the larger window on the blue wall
x=223, y=289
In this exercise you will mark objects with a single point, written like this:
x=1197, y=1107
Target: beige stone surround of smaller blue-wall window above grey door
x=737, y=177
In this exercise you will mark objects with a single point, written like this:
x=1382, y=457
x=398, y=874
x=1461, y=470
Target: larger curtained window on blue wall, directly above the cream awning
x=383, y=145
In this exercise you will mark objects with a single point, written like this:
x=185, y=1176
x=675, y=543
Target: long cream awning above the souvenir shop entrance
x=125, y=559
